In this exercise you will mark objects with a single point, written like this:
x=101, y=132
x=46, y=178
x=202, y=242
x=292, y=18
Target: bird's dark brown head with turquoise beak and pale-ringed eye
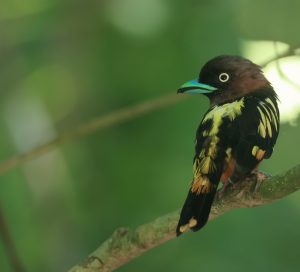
x=227, y=78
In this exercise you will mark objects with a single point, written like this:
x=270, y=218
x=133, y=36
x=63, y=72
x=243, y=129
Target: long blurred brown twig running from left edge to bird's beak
x=101, y=122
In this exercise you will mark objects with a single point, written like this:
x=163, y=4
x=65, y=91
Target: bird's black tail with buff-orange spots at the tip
x=195, y=211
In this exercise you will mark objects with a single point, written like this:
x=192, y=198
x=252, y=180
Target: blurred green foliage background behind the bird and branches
x=65, y=62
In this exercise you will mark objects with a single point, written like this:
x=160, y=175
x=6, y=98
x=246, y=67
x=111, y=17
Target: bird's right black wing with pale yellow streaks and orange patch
x=257, y=129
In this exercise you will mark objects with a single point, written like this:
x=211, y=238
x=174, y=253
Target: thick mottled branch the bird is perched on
x=124, y=245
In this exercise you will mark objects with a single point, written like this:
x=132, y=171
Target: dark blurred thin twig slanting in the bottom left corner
x=9, y=247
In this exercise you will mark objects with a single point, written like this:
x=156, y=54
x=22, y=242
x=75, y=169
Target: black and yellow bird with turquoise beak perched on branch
x=237, y=132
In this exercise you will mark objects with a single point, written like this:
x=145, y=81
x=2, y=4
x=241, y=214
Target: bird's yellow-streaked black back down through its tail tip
x=211, y=147
